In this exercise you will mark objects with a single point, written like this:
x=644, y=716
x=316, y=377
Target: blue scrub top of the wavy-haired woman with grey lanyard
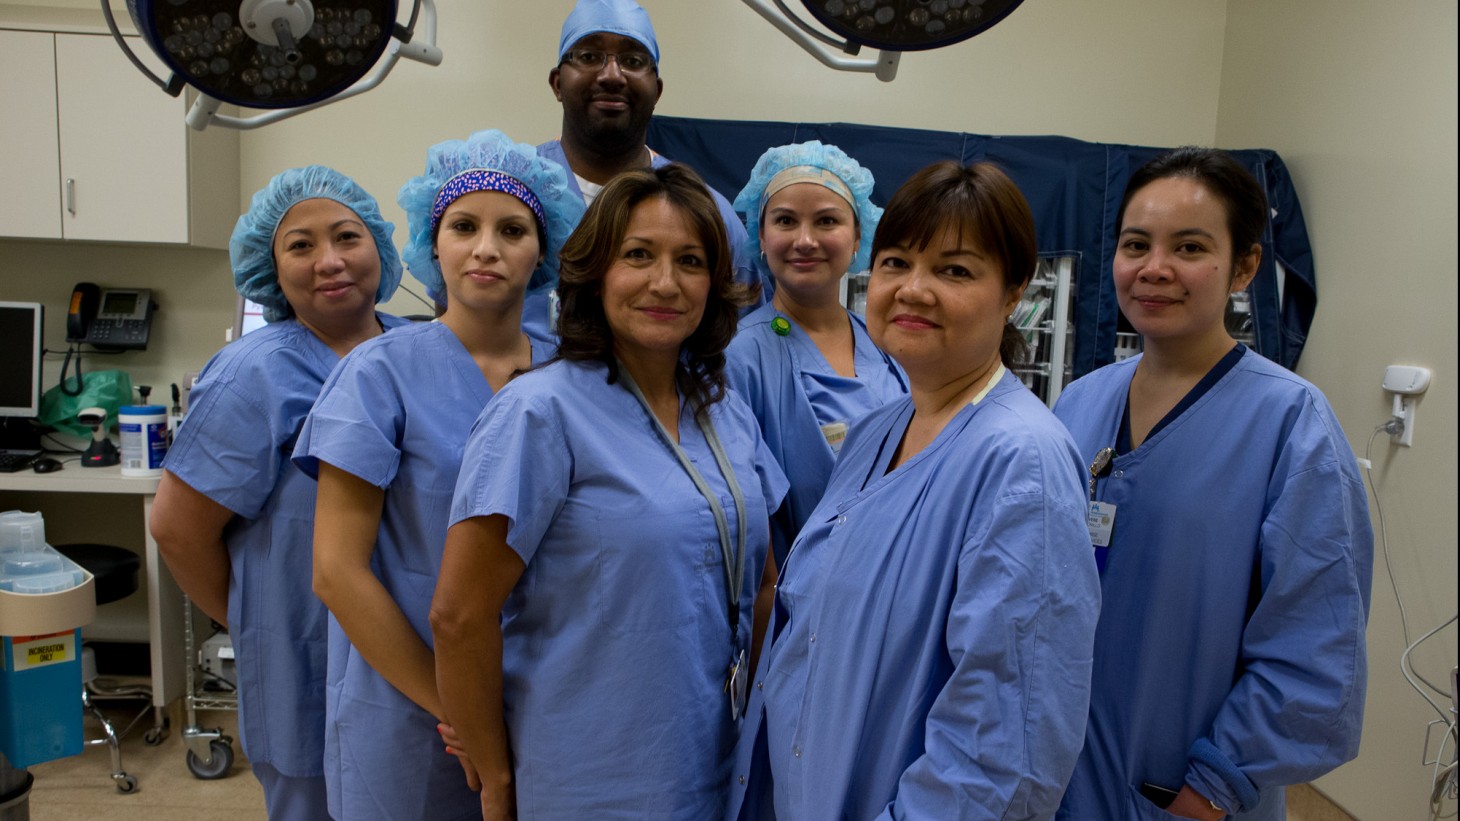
x=617, y=641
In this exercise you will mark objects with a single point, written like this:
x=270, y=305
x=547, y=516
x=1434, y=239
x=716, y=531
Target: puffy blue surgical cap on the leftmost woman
x=252, y=246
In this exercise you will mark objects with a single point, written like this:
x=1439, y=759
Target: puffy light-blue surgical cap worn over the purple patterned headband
x=487, y=151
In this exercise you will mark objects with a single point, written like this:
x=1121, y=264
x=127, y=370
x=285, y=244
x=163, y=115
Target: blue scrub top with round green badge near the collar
x=794, y=392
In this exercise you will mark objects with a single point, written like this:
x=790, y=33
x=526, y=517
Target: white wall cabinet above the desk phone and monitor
x=101, y=154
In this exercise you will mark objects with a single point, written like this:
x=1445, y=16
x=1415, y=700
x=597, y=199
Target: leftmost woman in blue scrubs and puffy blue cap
x=234, y=518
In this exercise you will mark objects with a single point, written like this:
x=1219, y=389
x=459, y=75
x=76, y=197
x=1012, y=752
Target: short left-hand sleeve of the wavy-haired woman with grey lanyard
x=518, y=464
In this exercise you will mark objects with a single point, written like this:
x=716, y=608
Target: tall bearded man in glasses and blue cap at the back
x=608, y=83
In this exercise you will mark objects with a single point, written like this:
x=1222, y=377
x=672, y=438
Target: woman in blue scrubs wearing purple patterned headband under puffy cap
x=487, y=221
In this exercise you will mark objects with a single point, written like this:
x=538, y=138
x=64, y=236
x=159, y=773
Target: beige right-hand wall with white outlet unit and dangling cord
x=1360, y=100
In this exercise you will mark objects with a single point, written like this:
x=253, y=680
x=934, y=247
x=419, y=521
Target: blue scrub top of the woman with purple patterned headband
x=396, y=414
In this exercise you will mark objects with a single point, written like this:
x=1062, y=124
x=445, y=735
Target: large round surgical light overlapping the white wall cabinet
x=281, y=56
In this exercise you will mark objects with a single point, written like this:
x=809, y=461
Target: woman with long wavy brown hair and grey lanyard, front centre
x=607, y=568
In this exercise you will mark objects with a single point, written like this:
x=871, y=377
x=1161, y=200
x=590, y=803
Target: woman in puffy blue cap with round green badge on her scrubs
x=805, y=363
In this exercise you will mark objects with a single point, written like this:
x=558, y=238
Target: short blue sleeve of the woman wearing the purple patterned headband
x=357, y=423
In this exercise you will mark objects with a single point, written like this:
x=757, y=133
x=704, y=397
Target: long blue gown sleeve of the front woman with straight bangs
x=1004, y=734
